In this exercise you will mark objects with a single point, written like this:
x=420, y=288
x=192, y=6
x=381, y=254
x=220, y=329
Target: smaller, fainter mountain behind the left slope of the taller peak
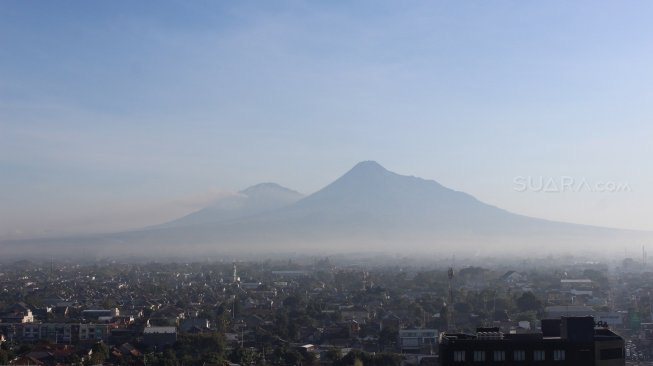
x=253, y=200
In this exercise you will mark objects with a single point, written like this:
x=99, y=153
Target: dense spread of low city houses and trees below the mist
x=305, y=310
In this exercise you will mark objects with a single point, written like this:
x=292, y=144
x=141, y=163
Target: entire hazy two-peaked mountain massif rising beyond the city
x=367, y=209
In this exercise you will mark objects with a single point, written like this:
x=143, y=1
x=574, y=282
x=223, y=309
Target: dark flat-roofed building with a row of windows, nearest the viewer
x=566, y=341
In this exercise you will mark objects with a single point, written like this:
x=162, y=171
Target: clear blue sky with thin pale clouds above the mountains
x=121, y=114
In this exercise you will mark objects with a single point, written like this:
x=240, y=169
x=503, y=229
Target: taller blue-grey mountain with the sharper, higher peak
x=373, y=208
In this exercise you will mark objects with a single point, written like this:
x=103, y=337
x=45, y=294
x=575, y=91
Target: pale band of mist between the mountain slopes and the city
x=271, y=243
